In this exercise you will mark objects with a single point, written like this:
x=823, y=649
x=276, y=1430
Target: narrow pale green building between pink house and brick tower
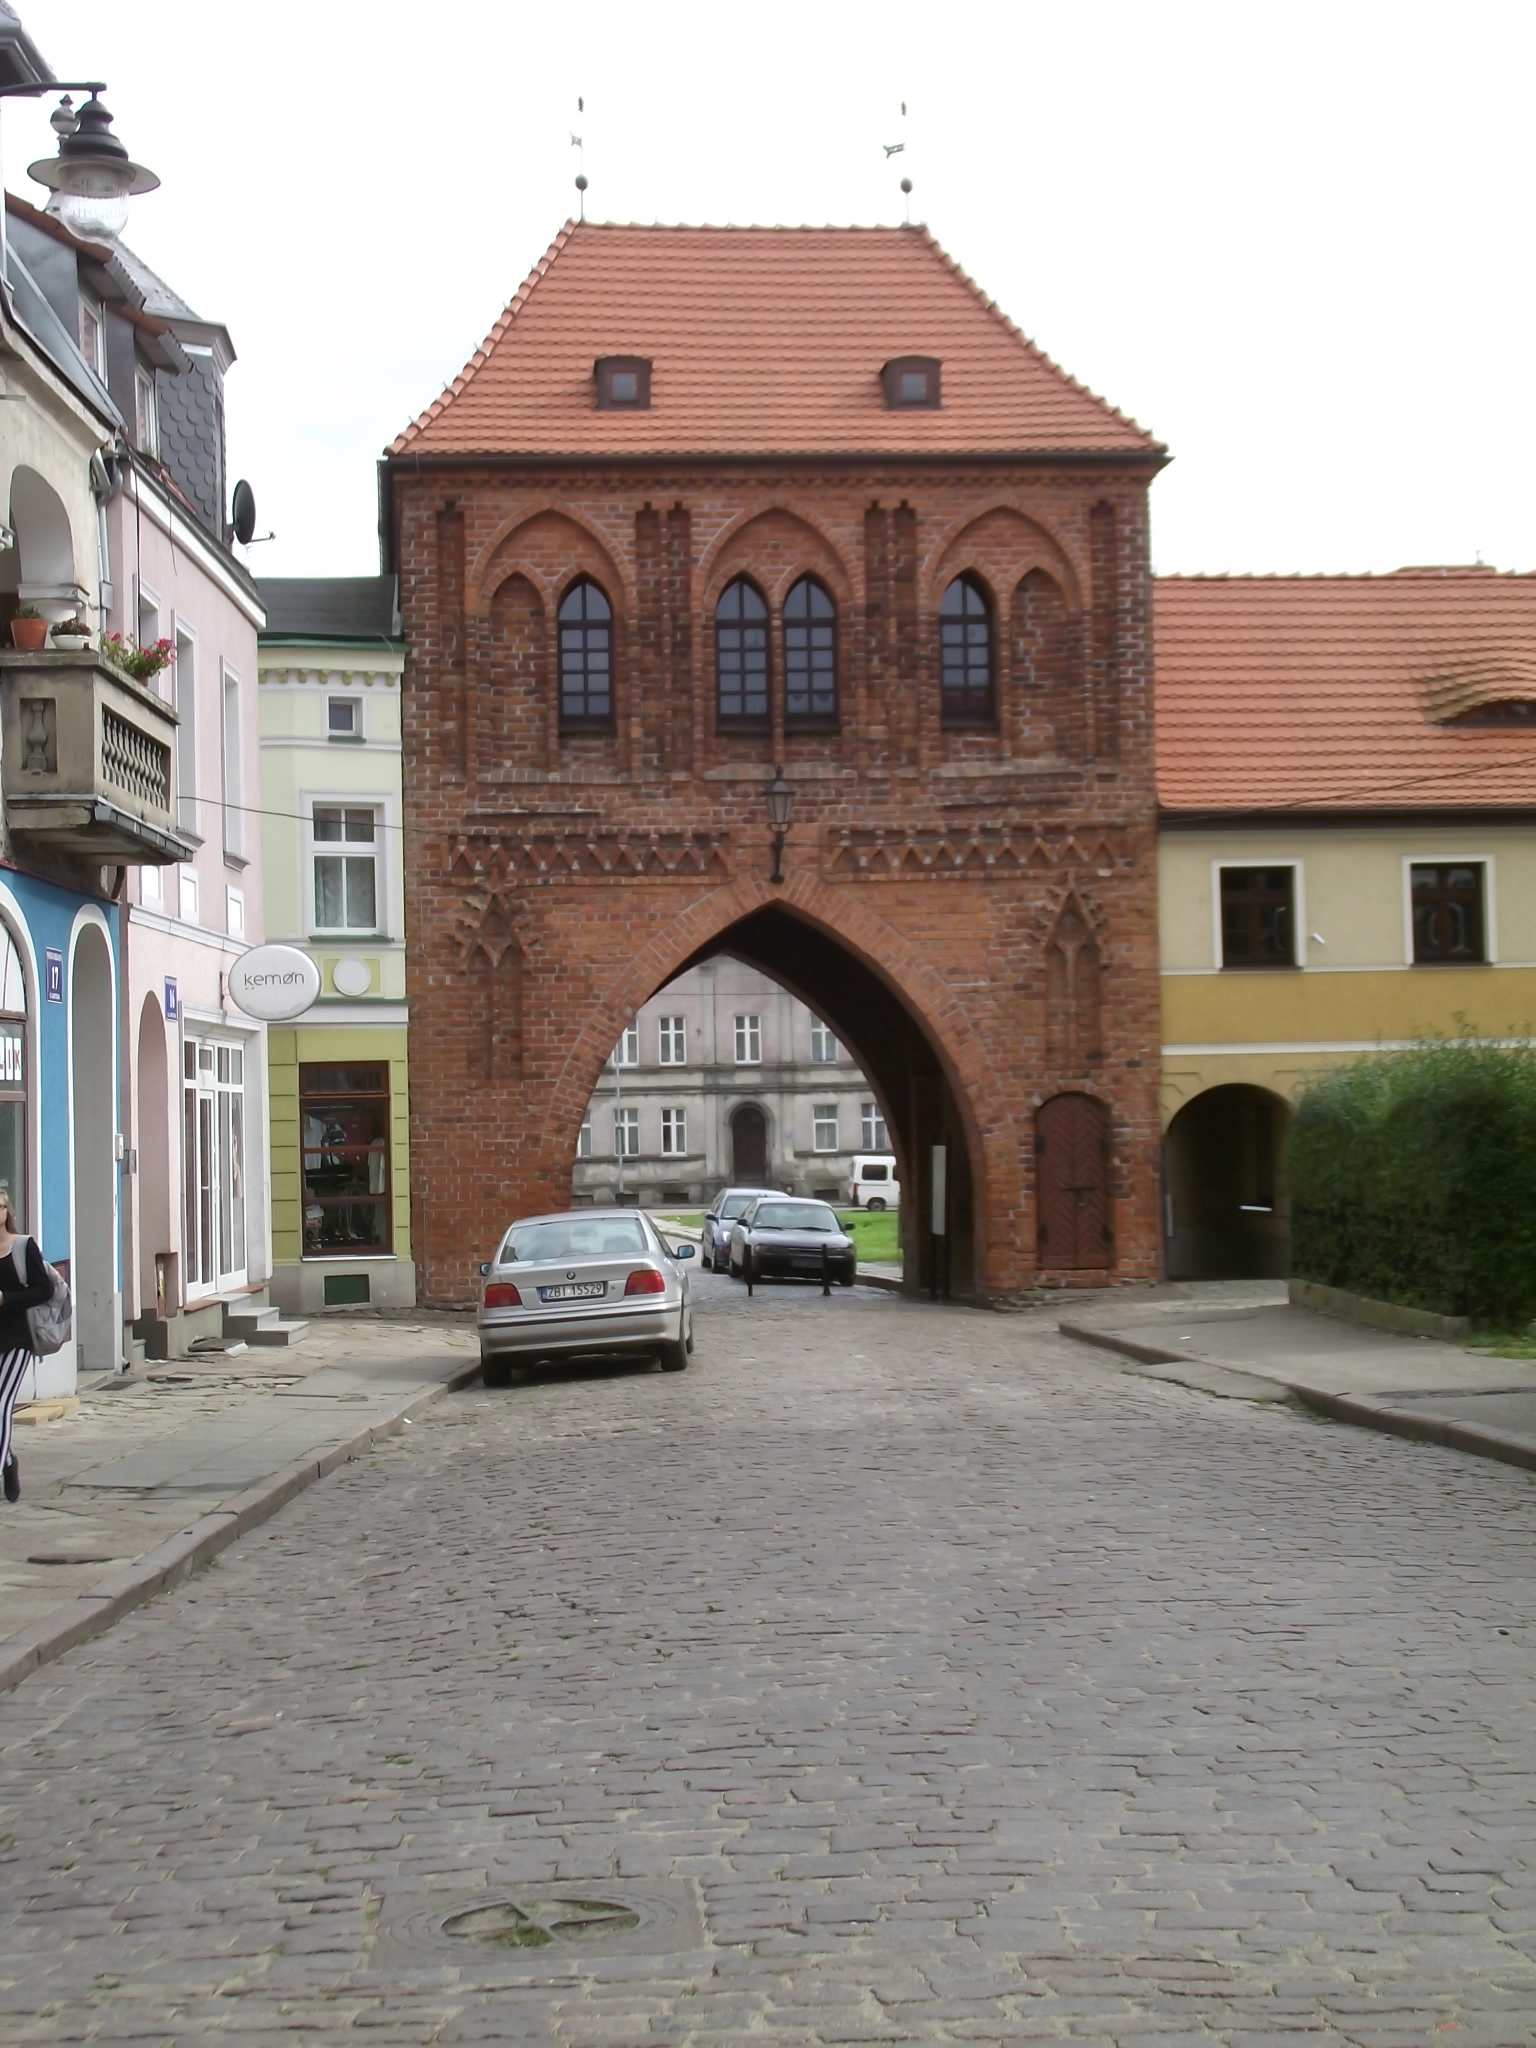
x=331, y=667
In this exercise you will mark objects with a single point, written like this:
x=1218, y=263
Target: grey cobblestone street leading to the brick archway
x=894, y=1674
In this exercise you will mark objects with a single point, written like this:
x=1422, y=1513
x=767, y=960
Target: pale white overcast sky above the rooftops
x=1293, y=241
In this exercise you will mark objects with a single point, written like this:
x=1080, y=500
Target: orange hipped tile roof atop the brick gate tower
x=765, y=341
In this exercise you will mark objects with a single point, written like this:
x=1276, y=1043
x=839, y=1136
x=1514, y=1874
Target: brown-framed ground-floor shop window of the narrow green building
x=345, y=1115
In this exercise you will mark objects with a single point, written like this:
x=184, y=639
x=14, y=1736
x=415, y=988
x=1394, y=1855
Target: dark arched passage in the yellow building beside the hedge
x=1228, y=1201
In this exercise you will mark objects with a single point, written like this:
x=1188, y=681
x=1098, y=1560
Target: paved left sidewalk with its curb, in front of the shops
x=161, y=1469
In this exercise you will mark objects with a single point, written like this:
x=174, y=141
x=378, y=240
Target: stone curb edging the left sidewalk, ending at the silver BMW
x=105, y=1605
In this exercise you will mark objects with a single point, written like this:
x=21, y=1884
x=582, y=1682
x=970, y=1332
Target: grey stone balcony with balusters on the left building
x=87, y=761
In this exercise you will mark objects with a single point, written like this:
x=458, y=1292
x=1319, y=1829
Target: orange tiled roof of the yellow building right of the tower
x=1342, y=693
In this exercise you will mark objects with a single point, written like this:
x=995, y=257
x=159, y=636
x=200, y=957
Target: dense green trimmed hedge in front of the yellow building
x=1414, y=1181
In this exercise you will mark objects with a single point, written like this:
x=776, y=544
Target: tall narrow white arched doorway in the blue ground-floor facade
x=93, y=1240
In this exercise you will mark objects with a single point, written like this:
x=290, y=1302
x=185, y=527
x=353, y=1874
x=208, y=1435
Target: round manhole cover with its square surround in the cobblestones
x=542, y=1928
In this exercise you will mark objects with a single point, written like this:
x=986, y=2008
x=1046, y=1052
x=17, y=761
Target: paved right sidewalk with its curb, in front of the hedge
x=1248, y=1342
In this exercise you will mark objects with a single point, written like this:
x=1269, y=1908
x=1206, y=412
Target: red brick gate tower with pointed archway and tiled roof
x=716, y=501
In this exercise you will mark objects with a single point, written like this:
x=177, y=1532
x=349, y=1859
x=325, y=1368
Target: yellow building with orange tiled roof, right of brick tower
x=1347, y=861
